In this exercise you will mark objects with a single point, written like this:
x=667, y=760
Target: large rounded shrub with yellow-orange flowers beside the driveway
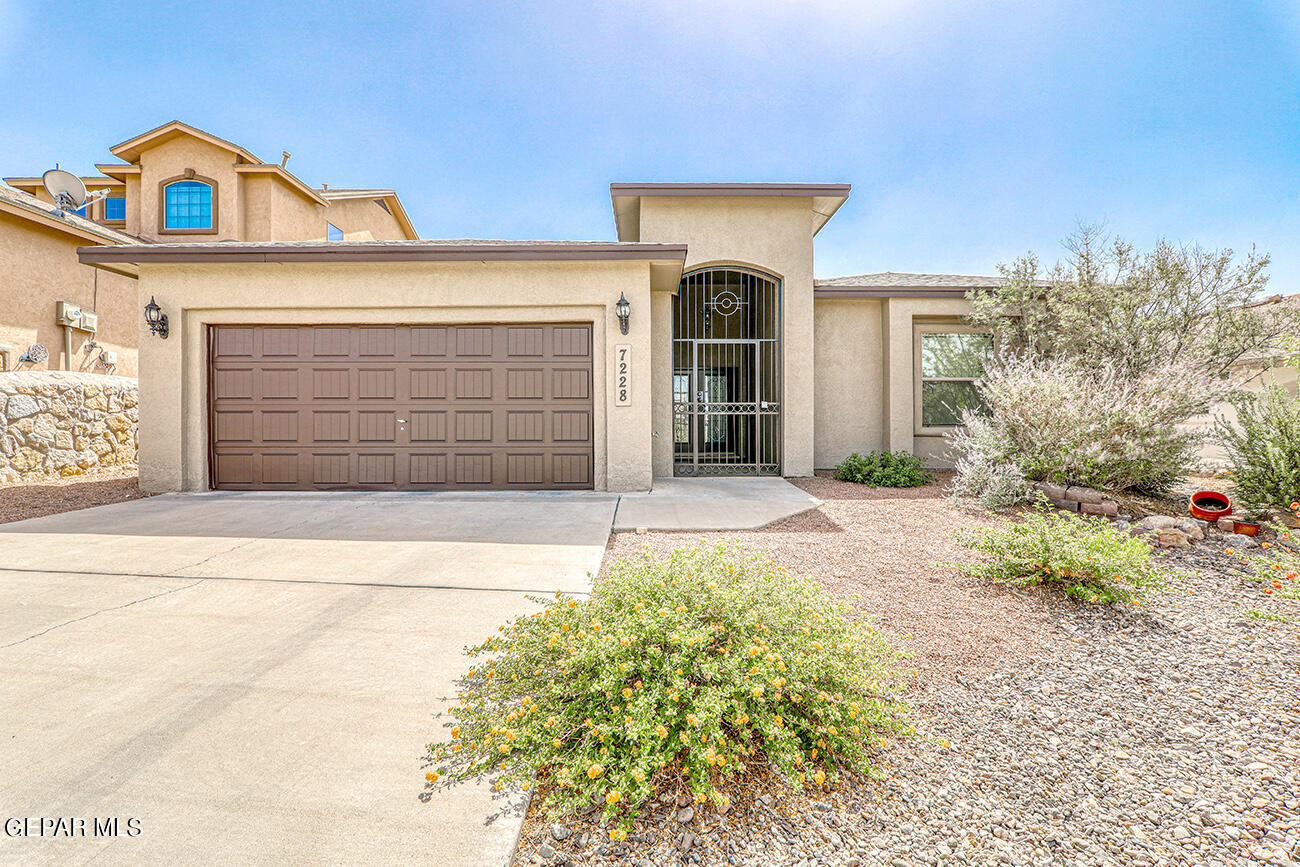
x=690, y=671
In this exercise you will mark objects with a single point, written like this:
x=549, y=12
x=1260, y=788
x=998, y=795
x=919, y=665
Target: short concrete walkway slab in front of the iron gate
x=739, y=504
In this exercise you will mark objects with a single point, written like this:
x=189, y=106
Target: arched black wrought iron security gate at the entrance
x=727, y=374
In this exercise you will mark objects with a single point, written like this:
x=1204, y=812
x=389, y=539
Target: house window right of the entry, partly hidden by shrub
x=951, y=359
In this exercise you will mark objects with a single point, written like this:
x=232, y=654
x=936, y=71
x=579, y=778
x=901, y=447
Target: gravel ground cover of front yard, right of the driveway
x=1050, y=732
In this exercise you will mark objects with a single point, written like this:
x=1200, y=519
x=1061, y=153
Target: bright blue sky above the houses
x=972, y=132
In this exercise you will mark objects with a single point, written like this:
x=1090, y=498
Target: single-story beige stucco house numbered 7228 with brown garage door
x=697, y=344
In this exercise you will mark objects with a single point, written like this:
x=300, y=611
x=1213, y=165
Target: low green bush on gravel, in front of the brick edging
x=1086, y=556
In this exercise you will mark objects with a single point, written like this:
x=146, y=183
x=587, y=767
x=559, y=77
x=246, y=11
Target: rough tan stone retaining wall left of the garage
x=58, y=423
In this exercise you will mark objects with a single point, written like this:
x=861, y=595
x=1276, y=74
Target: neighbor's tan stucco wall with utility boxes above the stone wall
x=40, y=268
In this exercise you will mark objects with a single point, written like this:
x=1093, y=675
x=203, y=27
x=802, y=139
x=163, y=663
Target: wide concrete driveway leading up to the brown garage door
x=253, y=677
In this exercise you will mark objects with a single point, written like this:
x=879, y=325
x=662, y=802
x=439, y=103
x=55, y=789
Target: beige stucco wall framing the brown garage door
x=175, y=372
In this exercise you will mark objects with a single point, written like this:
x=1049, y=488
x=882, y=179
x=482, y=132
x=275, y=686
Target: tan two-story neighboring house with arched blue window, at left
x=175, y=184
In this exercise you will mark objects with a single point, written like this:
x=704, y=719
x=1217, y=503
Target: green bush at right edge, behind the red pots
x=1264, y=449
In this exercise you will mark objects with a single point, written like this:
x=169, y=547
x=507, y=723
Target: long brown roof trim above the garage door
x=380, y=252
